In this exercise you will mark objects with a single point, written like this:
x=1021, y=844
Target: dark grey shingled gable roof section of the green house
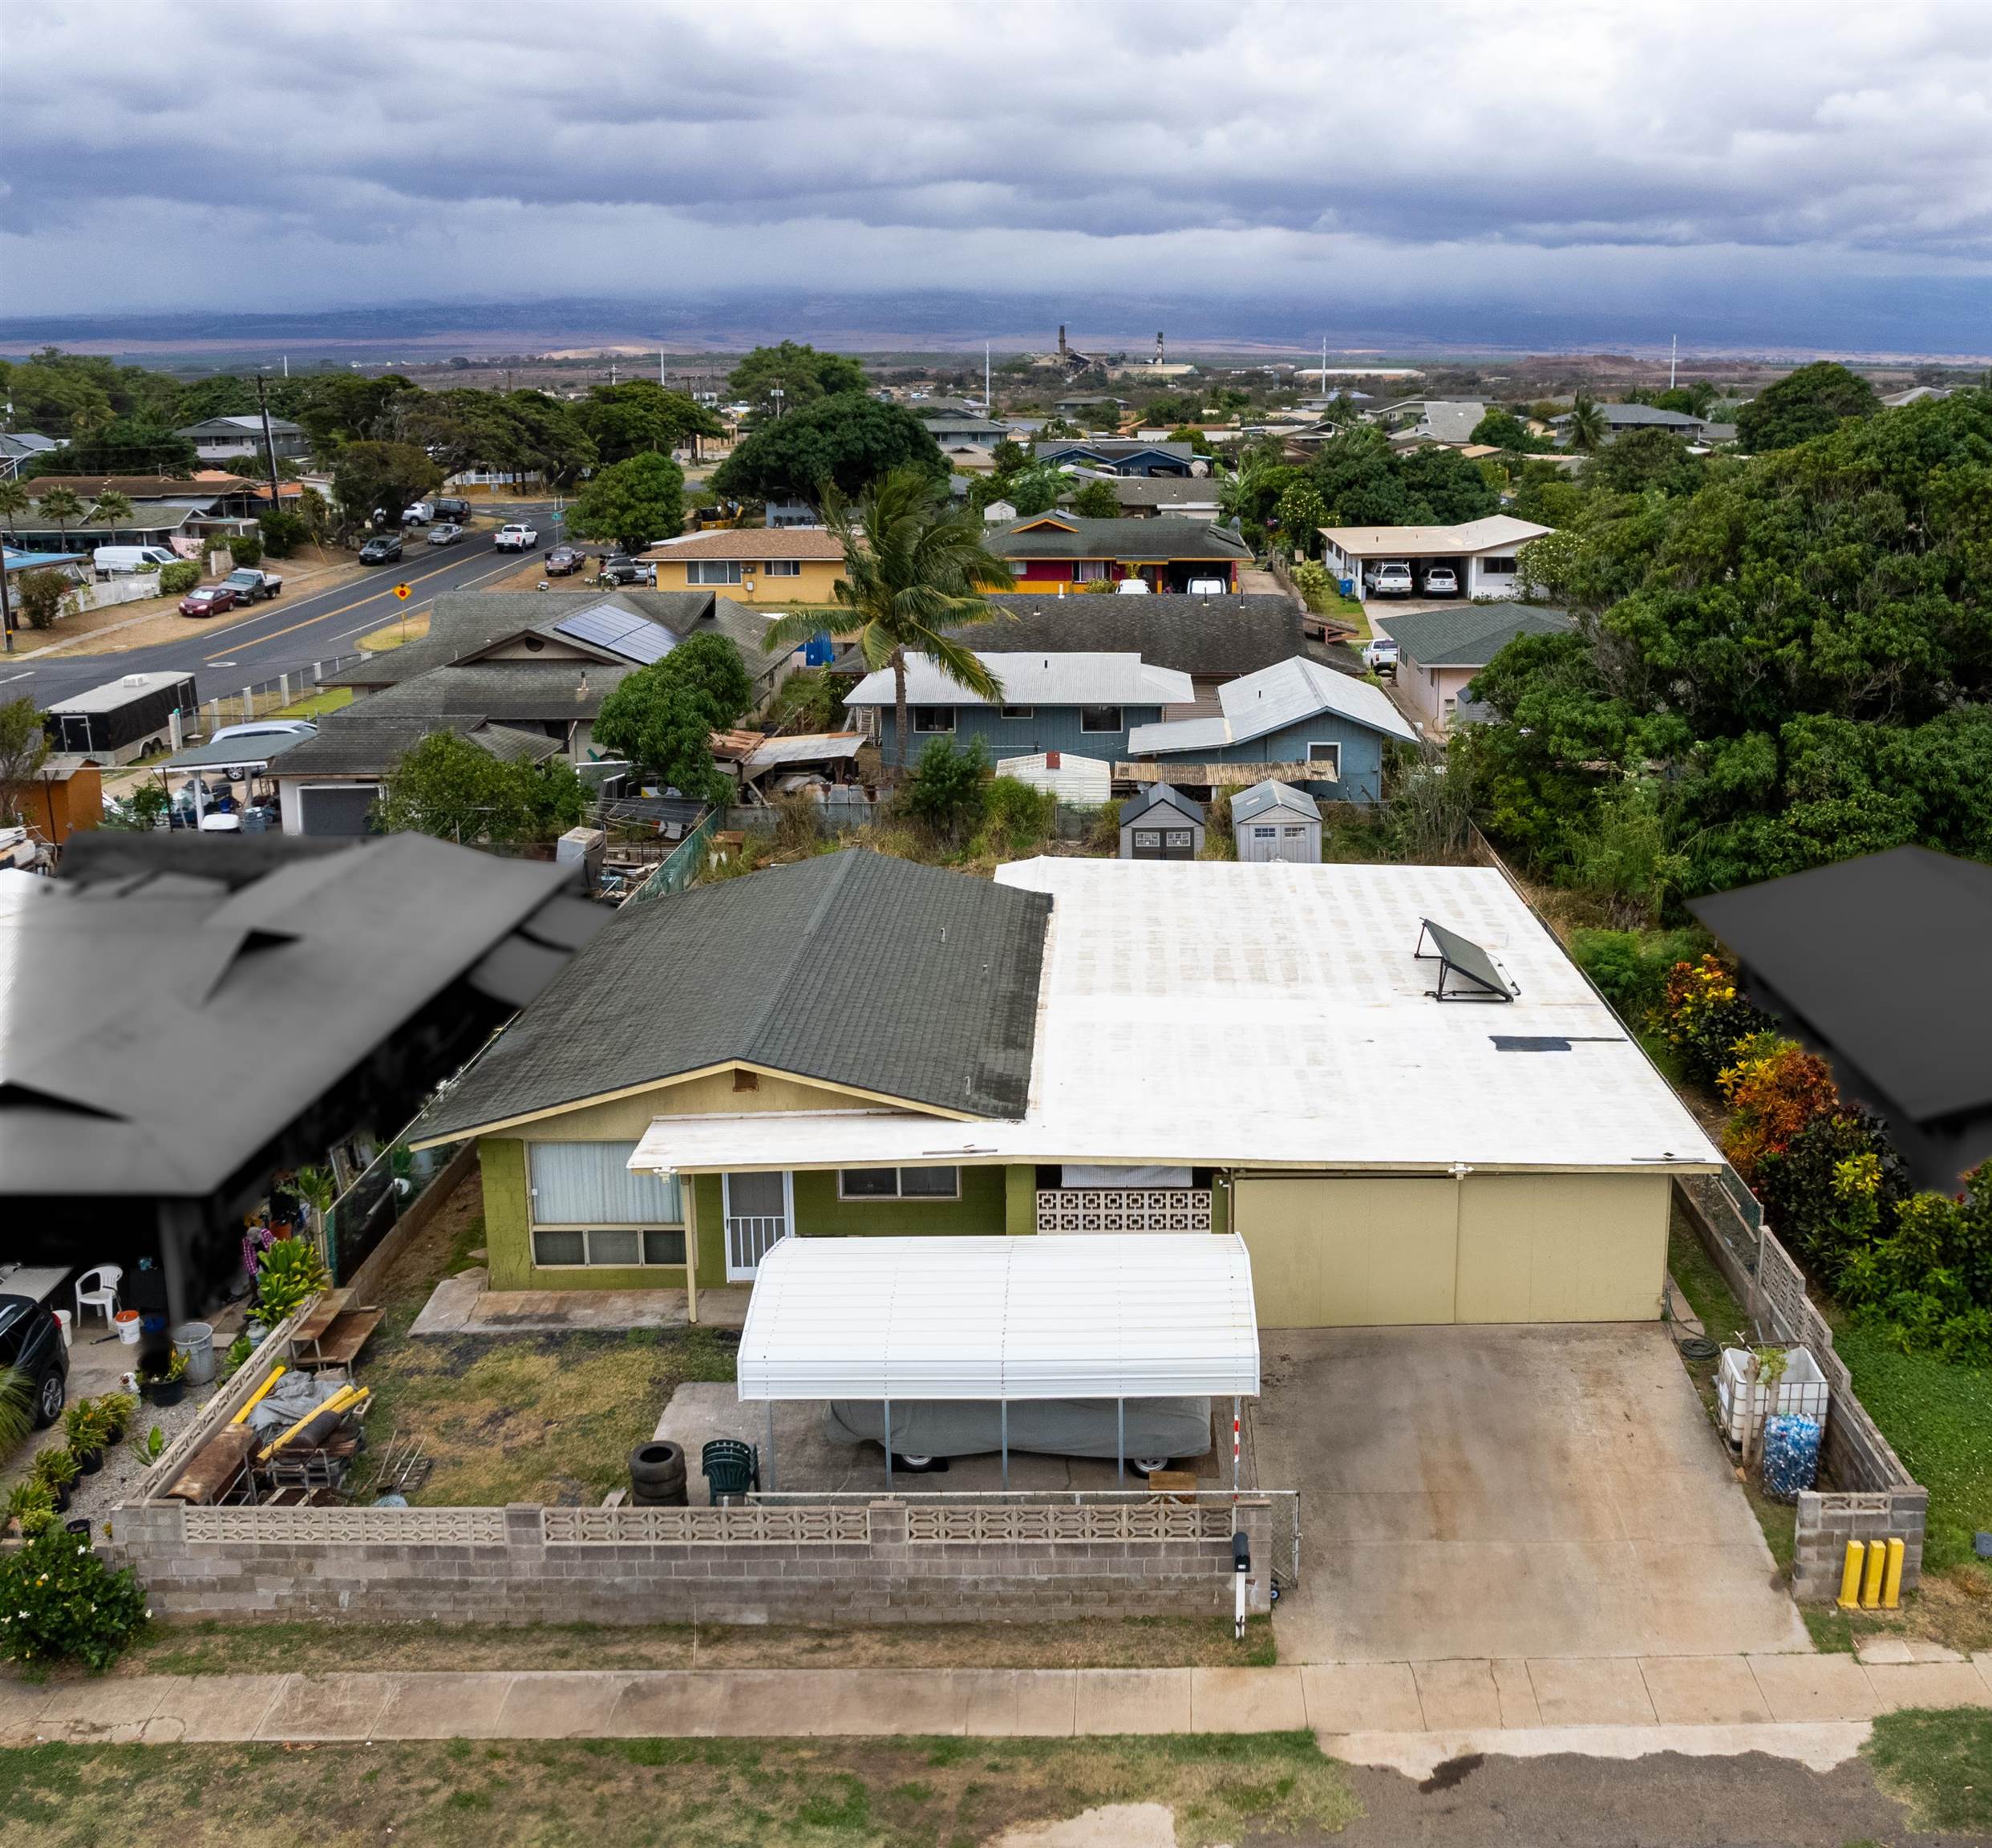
x=850, y=969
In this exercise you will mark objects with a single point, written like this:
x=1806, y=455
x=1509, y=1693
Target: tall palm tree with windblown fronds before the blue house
x=913, y=573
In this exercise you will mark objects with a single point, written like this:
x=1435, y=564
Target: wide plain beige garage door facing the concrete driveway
x=1334, y=1254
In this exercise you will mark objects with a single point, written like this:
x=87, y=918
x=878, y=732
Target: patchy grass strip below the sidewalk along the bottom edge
x=664, y=1793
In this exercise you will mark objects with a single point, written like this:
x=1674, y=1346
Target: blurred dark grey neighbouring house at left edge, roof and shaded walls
x=152, y=1092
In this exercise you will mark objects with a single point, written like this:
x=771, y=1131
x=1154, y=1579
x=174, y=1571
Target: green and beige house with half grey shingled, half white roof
x=864, y=1046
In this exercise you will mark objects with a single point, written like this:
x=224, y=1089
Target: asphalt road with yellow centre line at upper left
x=282, y=638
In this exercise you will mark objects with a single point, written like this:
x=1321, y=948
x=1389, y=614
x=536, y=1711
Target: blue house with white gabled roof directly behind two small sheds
x=1296, y=722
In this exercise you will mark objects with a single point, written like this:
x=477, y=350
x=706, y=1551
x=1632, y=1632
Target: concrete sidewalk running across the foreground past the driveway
x=1814, y=1708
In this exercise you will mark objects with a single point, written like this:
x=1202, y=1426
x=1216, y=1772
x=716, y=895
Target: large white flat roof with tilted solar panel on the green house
x=1230, y=1015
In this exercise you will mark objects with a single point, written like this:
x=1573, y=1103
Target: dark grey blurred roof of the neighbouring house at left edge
x=146, y=983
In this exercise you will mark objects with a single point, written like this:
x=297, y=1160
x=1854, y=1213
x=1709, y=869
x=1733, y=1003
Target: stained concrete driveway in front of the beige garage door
x=1509, y=1493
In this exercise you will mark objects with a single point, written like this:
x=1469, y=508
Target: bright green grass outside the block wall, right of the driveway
x=1939, y=1419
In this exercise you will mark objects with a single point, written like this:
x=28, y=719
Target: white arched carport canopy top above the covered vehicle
x=1122, y=1315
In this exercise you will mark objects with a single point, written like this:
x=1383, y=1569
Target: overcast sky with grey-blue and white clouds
x=1654, y=158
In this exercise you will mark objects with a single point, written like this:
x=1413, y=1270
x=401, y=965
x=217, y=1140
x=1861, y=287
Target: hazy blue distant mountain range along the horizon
x=1858, y=318
